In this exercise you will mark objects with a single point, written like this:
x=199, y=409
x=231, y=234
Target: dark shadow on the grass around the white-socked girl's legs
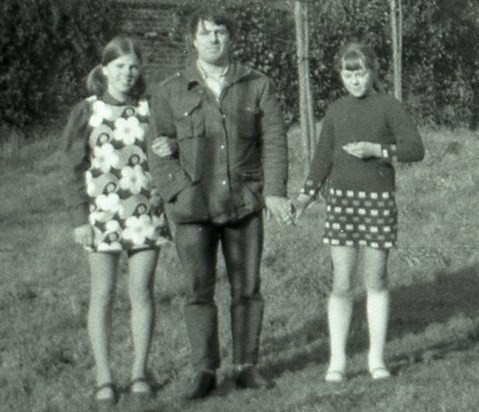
x=413, y=309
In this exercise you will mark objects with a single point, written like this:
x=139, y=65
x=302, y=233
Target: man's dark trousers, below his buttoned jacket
x=241, y=244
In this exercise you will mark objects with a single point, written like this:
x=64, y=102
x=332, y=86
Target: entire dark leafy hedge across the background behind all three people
x=48, y=46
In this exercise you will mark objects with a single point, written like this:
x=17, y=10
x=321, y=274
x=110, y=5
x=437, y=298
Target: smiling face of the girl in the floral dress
x=122, y=74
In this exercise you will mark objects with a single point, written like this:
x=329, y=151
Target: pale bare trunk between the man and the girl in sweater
x=308, y=129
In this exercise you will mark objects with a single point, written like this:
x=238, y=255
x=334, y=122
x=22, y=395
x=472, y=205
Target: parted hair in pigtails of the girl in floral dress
x=97, y=83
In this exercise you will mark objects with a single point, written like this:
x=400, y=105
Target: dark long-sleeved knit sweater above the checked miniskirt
x=377, y=118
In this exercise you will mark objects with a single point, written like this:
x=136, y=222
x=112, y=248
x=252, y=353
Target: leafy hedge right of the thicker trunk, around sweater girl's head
x=440, y=59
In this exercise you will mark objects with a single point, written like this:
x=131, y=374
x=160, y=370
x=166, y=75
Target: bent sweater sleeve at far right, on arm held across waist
x=408, y=146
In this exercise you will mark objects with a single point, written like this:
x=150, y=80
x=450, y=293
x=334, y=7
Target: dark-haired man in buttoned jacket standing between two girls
x=226, y=160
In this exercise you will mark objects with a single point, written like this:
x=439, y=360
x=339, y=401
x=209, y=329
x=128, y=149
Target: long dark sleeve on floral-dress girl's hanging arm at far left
x=76, y=163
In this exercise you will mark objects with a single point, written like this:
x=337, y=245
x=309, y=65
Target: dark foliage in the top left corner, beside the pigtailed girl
x=46, y=49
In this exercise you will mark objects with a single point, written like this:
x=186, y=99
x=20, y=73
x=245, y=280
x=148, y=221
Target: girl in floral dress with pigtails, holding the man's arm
x=114, y=207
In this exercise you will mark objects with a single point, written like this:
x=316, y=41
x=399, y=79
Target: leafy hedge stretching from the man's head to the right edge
x=440, y=57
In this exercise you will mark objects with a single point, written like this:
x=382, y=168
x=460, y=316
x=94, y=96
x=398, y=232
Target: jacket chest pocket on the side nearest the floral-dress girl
x=189, y=121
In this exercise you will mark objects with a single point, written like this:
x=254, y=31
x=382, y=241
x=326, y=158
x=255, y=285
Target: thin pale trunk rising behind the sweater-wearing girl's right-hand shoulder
x=396, y=40
